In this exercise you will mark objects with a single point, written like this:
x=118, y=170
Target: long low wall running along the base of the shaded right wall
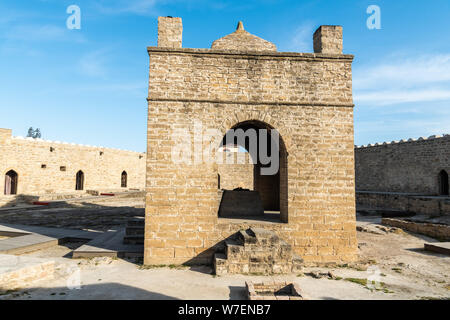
x=419, y=204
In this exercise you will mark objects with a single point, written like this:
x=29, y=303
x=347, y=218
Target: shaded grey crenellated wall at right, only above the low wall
x=410, y=166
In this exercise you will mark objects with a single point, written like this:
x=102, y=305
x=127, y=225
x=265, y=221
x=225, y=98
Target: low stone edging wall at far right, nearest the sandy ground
x=438, y=231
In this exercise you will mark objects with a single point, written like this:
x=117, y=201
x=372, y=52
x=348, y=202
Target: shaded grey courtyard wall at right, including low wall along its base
x=410, y=175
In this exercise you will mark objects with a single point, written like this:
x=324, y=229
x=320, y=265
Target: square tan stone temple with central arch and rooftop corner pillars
x=243, y=82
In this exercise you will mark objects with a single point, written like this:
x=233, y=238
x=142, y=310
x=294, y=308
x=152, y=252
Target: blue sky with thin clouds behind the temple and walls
x=89, y=86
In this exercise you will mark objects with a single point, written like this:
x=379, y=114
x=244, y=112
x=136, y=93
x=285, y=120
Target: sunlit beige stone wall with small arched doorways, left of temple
x=34, y=167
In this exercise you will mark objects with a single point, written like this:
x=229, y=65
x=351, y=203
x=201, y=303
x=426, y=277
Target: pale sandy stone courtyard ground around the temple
x=393, y=265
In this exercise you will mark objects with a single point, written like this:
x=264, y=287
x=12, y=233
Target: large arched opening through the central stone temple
x=256, y=185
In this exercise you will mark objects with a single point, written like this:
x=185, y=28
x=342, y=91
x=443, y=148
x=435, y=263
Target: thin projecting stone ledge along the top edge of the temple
x=252, y=54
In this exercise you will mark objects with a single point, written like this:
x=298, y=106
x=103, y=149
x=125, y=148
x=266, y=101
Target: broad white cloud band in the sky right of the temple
x=404, y=80
